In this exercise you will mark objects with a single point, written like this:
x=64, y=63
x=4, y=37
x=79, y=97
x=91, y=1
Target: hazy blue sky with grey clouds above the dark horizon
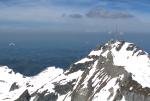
x=75, y=15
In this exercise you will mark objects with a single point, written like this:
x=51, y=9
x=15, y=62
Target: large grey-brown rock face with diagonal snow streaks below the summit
x=104, y=69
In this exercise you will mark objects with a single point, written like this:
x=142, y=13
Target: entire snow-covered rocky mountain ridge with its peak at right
x=115, y=71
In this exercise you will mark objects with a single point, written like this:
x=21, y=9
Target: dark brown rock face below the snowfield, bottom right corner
x=133, y=91
